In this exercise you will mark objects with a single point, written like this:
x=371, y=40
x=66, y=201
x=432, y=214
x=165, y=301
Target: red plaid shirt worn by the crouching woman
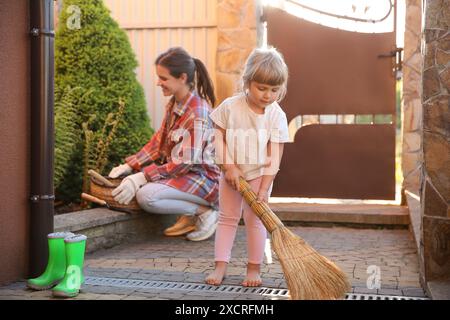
x=181, y=153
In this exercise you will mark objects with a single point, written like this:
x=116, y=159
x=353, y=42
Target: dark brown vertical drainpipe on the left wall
x=42, y=132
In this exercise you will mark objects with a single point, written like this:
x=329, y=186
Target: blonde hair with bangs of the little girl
x=267, y=66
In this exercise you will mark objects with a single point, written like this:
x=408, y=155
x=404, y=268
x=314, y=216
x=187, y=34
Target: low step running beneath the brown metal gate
x=363, y=215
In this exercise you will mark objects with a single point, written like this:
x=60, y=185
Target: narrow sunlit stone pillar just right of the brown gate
x=412, y=105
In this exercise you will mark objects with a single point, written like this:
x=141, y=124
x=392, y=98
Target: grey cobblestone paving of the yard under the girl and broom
x=361, y=253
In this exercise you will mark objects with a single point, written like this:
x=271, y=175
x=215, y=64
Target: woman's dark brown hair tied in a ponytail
x=178, y=61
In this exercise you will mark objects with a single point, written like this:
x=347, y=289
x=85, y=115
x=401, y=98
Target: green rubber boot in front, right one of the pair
x=70, y=286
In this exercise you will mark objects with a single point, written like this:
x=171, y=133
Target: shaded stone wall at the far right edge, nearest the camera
x=435, y=184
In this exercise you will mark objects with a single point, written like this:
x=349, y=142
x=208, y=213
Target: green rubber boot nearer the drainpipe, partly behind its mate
x=56, y=265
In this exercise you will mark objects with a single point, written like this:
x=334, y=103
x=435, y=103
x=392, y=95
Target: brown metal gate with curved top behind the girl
x=340, y=107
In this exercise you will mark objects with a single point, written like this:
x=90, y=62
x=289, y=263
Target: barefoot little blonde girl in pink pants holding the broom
x=251, y=129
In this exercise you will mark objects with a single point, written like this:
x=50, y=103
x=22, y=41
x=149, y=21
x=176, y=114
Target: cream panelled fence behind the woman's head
x=153, y=26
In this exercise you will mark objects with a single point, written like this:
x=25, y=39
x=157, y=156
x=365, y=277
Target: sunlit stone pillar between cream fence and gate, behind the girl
x=237, y=37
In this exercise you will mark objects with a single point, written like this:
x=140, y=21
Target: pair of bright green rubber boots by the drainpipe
x=64, y=267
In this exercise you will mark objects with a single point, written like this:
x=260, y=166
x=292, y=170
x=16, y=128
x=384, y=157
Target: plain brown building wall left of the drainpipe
x=14, y=139
